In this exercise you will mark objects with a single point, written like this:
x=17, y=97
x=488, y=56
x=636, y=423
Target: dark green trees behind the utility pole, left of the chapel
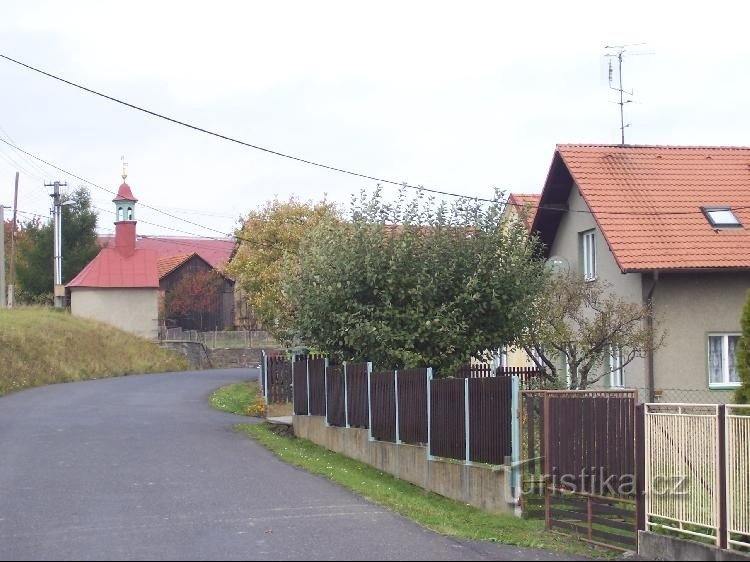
x=34, y=271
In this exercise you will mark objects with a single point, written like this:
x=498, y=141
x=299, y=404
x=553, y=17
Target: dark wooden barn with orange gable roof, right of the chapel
x=213, y=306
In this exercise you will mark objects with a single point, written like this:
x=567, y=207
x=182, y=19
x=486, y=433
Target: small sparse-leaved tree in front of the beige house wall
x=579, y=324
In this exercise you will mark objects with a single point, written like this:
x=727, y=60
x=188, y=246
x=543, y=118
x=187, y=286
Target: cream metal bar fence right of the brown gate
x=698, y=472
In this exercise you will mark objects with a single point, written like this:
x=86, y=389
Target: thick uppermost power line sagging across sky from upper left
x=238, y=141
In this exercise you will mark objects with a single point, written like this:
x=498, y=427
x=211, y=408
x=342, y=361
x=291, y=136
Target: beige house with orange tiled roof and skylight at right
x=668, y=227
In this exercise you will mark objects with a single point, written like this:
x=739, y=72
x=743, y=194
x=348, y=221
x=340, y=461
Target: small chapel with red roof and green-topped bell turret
x=120, y=285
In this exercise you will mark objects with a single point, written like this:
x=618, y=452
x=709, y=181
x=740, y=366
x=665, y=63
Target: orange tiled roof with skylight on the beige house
x=647, y=202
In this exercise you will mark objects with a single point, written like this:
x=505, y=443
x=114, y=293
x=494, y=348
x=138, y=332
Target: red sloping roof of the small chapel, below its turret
x=112, y=269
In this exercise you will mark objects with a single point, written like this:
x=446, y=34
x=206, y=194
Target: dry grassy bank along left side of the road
x=41, y=346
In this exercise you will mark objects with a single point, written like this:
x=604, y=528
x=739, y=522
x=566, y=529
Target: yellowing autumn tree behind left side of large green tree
x=269, y=239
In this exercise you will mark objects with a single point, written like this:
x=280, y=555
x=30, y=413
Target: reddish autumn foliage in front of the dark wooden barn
x=194, y=295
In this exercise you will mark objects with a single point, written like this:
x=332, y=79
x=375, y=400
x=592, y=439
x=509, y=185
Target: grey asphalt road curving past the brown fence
x=140, y=467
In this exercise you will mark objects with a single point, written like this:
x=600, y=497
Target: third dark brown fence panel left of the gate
x=412, y=405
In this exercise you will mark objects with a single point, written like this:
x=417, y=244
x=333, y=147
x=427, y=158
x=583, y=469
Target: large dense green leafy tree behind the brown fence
x=414, y=283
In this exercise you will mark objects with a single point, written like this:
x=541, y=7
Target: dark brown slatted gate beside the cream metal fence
x=581, y=454
